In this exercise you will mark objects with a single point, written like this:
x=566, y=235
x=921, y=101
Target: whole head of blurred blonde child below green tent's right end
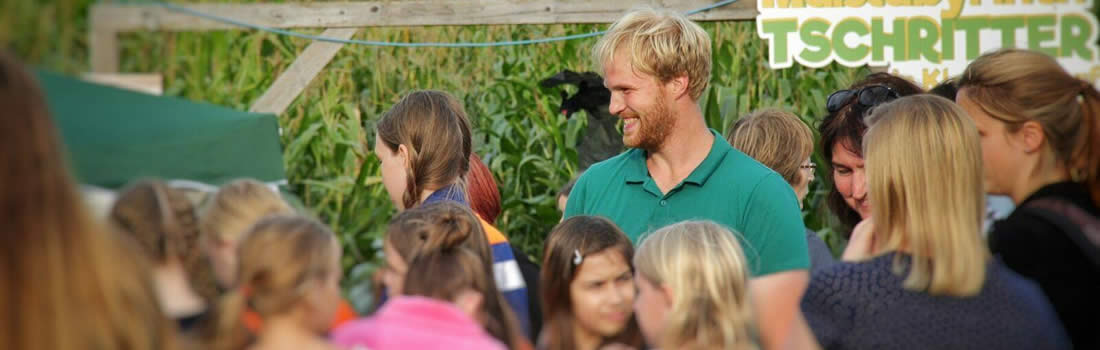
x=234, y=210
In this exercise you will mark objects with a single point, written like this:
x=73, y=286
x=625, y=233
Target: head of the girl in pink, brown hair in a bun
x=424, y=231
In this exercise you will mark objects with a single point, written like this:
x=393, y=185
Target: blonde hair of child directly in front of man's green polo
x=705, y=266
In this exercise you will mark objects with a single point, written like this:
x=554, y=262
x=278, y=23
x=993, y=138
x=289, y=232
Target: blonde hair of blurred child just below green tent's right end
x=237, y=206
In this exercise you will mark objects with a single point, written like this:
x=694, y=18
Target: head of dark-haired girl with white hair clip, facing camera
x=588, y=283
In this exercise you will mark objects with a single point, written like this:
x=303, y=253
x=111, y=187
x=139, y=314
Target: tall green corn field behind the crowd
x=519, y=132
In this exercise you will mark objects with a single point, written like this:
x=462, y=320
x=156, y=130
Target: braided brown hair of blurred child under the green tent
x=163, y=223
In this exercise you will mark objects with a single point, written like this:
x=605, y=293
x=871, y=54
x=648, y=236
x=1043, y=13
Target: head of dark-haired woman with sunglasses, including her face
x=843, y=136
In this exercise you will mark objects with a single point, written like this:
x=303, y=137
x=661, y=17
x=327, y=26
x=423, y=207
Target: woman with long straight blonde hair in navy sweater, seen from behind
x=926, y=280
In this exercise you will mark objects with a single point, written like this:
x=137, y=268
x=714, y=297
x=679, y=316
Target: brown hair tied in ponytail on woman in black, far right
x=1017, y=86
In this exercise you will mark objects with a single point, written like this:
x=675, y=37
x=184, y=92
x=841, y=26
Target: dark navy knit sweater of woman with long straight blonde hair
x=865, y=307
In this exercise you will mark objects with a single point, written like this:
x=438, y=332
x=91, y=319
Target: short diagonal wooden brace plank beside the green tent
x=298, y=76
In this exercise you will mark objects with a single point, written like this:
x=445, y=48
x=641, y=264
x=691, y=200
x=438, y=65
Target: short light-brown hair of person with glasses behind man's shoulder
x=775, y=138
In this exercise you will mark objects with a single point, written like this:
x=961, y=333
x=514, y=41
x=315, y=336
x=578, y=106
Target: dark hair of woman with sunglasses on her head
x=846, y=128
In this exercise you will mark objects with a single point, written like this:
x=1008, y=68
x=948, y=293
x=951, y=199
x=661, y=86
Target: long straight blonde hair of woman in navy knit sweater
x=926, y=184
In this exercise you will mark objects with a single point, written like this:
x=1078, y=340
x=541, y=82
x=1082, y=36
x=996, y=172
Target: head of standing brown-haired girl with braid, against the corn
x=424, y=144
